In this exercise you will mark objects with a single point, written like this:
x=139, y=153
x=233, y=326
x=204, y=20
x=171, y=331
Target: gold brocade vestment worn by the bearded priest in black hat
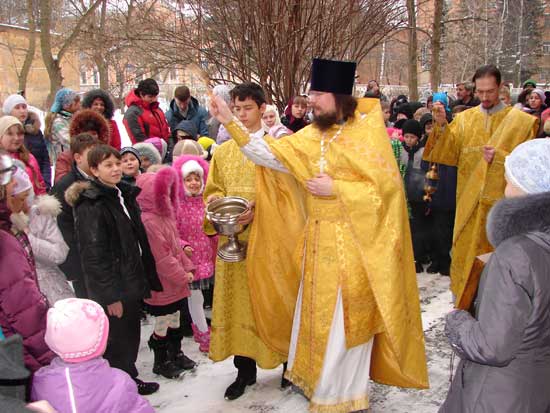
x=359, y=241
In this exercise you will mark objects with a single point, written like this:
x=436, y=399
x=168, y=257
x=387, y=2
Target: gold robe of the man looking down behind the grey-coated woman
x=479, y=184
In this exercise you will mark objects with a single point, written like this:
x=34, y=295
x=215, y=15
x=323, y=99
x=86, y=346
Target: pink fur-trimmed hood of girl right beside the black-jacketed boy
x=159, y=192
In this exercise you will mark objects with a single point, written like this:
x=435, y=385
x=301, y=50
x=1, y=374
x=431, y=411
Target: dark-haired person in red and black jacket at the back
x=144, y=119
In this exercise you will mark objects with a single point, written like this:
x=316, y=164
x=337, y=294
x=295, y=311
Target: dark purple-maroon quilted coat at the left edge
x=23, y=308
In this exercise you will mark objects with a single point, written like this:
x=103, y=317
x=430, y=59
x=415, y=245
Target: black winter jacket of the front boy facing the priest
x=114, y=250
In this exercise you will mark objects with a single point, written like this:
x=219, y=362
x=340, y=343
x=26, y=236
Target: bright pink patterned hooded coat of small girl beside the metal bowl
x=190, y=223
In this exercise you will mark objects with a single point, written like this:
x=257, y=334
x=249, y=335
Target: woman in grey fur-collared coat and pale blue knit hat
x=504, y=349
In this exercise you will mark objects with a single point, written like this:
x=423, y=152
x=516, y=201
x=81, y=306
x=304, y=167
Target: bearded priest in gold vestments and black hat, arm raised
x=357, y=311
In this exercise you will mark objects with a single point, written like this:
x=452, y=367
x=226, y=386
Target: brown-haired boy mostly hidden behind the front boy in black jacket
x=80, y=146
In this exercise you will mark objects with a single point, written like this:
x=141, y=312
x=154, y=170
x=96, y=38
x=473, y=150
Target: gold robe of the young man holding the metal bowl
x=233, y=327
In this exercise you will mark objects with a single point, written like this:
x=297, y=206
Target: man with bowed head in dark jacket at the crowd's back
x=186, y=107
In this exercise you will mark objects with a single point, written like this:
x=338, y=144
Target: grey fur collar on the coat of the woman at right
x=517, y=216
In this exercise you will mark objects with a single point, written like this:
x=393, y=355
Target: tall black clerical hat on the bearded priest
x=332, y=76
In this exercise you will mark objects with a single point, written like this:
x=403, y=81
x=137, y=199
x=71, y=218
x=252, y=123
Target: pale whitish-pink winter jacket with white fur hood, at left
x=48, y=246
